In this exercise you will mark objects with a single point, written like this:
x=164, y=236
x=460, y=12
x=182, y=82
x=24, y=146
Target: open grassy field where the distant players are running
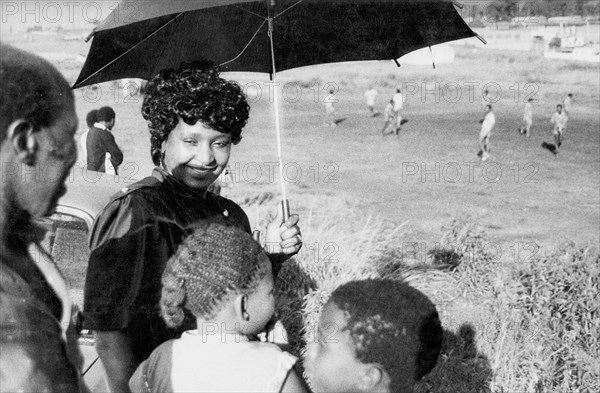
x=508, y=249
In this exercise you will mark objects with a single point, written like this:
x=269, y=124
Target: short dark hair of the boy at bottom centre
x=394, y=325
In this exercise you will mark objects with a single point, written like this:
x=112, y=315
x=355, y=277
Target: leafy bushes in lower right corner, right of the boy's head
x=537, y=323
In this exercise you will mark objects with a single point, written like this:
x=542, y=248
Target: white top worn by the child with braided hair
x=216, y=363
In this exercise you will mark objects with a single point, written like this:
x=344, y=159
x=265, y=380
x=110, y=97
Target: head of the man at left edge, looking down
x=37, y=128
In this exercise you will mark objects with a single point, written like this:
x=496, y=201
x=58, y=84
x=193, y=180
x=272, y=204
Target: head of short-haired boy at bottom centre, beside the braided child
x=374, y=336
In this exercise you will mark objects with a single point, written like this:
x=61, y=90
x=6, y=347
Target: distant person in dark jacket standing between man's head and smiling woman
x=100, y=141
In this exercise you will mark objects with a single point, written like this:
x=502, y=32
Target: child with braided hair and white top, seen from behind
x=224, y=278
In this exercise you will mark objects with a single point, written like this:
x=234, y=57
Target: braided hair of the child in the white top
x=212, y=264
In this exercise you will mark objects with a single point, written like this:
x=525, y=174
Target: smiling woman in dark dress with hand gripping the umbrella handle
x=194, y=116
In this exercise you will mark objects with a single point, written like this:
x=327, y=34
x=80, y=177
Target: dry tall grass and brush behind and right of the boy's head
x=509, y=327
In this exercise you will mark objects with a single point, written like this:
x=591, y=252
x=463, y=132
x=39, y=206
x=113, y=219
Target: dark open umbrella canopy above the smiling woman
x=141, y=37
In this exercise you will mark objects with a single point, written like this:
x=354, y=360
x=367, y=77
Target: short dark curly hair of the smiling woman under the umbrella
x=194, y=92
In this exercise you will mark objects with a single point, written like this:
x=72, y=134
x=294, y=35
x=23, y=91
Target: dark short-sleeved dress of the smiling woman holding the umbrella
x=130, y=243
